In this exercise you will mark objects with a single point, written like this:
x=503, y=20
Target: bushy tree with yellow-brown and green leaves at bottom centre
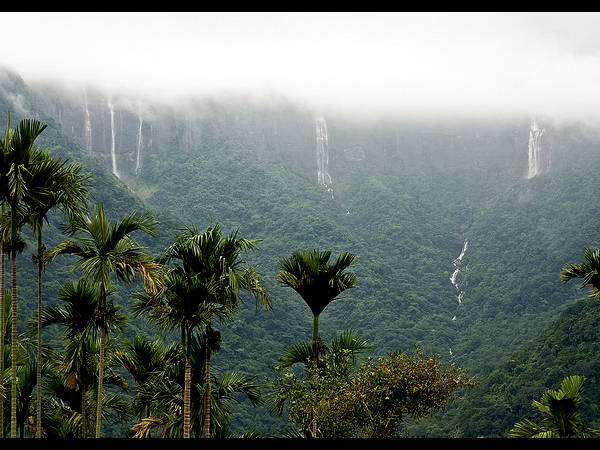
x=369, y=401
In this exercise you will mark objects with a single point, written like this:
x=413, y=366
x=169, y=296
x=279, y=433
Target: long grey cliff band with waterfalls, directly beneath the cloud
x=122, y=132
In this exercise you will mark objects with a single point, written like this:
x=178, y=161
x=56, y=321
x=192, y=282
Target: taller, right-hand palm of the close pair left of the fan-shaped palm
x=214, y=259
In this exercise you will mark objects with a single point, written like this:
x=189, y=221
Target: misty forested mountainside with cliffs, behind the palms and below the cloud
x=407, y=200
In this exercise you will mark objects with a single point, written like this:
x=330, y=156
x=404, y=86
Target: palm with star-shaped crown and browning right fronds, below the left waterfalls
x=106, y=251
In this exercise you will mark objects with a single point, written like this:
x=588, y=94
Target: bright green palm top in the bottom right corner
x=560, y=411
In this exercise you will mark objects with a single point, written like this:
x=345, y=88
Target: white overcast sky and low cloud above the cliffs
x=450, y=64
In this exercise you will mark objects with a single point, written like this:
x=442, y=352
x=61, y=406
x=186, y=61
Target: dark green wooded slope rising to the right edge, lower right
x=571, y=343
